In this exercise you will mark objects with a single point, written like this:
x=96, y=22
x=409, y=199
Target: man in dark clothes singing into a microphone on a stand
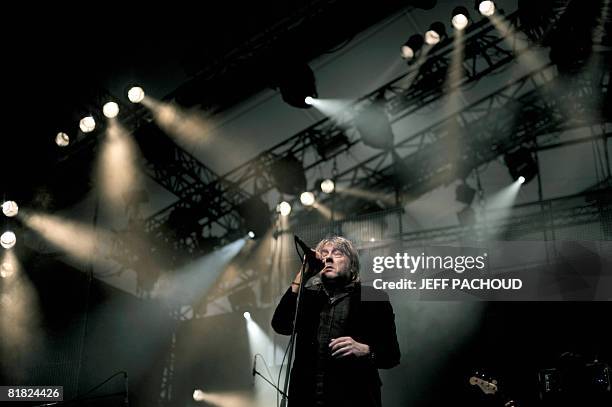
x=341, y=339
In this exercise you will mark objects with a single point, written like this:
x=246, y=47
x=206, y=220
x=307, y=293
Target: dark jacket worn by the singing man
x=348, y=381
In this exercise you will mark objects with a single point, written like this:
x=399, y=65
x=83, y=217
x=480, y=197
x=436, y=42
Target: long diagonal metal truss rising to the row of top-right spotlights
x=486, y=50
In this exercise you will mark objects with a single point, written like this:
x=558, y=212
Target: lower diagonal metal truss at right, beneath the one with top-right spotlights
x=533, y=106
